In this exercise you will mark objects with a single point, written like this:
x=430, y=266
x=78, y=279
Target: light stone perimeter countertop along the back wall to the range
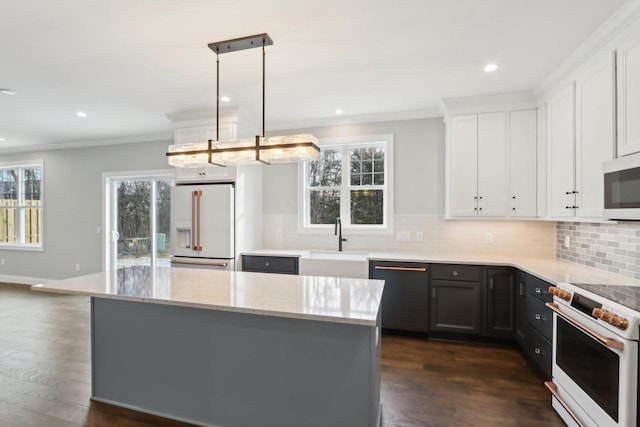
x=549, y=269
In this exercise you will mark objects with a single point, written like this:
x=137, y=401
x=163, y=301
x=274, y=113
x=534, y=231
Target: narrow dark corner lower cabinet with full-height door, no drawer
x=501, y=302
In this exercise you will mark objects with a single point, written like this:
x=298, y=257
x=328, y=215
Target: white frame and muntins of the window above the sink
x=345, y=144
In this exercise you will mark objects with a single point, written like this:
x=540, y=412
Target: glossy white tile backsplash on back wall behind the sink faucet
x=526, y=238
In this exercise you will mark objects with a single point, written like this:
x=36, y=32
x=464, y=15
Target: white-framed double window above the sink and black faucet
x=350, y=181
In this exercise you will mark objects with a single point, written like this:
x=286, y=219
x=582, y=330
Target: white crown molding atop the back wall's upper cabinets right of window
x=487, y=103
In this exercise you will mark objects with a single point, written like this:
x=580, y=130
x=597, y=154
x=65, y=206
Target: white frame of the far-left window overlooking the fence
x=21, y=166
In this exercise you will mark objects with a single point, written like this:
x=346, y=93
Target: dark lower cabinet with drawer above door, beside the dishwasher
x=456, y=298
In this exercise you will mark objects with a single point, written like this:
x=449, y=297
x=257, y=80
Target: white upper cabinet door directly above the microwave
x=628, y=74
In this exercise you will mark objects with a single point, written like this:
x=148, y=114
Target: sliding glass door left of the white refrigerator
x=138, y=221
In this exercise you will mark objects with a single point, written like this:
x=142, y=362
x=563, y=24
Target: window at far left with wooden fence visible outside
x=21, y=206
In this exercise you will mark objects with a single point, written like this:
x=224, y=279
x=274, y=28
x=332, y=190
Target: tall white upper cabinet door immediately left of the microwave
x=595, y=87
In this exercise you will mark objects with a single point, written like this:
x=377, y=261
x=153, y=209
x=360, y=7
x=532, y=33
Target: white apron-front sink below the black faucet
x=334, y=264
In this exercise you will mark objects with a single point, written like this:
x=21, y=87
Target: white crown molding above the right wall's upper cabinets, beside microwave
x=602, y=38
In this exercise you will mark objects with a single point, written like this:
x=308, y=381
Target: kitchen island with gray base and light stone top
x=229, y=348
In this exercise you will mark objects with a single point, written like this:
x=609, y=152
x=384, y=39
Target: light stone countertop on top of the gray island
x=329, y=299
